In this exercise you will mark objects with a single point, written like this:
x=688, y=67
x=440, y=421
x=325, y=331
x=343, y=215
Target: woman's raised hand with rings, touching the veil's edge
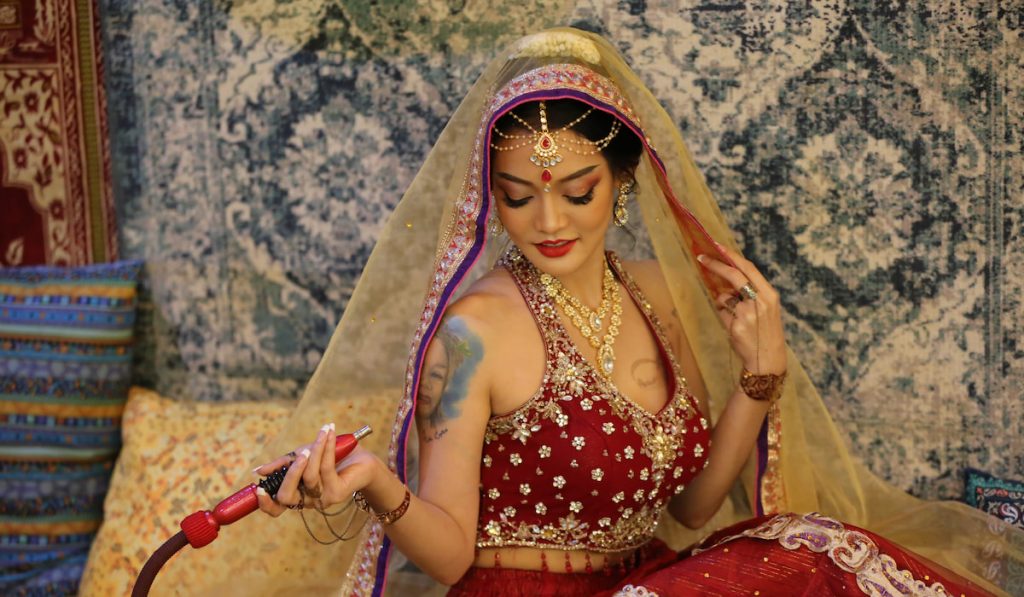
x=755, y=325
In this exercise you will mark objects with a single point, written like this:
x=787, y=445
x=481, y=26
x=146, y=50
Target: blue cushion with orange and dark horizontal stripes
x=66, y=352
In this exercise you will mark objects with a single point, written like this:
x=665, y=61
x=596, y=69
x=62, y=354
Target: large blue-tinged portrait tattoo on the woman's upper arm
x=445, y=383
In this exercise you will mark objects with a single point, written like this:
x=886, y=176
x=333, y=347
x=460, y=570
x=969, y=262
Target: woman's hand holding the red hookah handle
x=325, y=483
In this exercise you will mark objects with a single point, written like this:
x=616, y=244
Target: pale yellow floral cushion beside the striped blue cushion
x=178, y=458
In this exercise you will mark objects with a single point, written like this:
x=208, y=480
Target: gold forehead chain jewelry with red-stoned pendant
x=546, y=143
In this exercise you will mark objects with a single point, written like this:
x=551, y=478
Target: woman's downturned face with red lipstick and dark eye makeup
x=562, y=230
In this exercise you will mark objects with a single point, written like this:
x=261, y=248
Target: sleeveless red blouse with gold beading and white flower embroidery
x=580, y=466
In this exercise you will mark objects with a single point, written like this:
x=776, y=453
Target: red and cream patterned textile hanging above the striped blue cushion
x=55, y=160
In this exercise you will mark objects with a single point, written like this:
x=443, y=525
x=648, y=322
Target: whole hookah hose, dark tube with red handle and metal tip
x=200, y=529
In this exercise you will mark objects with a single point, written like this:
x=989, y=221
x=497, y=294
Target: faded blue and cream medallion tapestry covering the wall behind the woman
x=869, y=155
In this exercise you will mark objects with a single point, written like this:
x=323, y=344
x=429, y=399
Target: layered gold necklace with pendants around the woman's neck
x=590, y=323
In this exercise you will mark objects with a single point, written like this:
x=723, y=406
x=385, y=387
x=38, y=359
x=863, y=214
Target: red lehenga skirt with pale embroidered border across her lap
x=783, y=556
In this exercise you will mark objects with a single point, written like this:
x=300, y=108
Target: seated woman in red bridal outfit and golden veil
x=565, y=400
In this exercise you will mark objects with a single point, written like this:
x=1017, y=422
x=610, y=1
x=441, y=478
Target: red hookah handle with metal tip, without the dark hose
x=201, y=528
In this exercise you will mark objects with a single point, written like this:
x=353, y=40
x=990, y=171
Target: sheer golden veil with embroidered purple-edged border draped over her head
x=436, y=245
